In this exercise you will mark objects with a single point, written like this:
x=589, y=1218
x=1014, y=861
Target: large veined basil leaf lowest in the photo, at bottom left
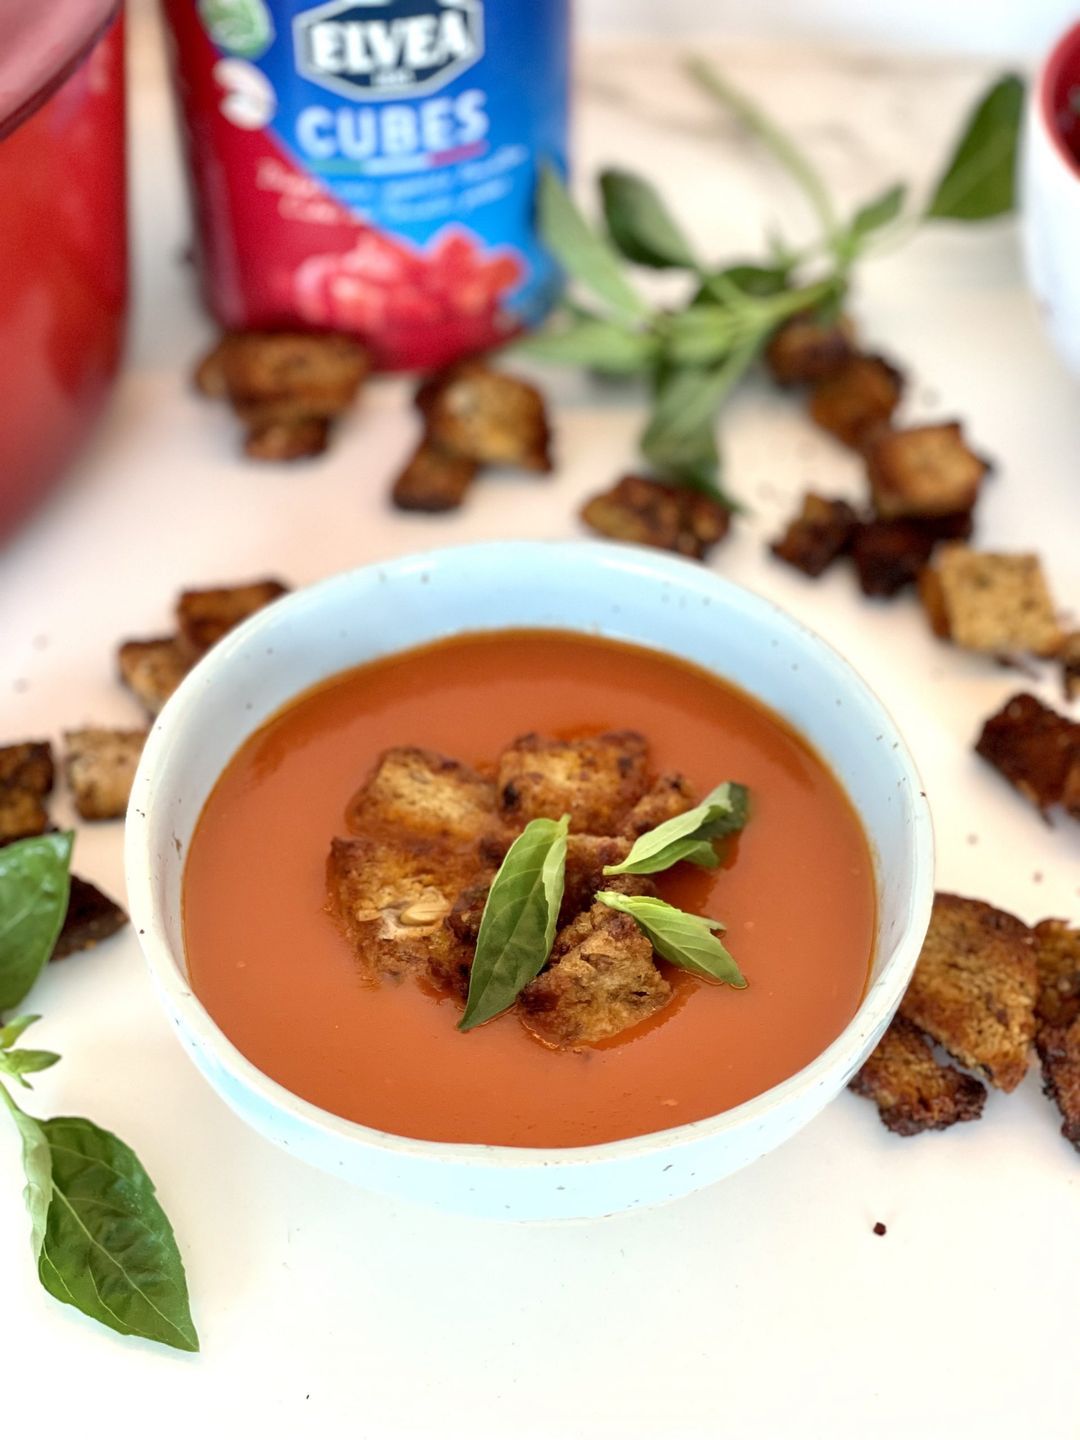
x=109, y=1248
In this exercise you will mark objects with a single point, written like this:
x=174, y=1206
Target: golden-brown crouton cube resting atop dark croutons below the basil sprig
x=924, y=472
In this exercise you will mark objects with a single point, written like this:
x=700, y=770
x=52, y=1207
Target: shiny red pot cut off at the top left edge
x=63, y=234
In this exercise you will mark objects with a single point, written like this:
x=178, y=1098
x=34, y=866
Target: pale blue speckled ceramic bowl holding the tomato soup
x=629, y=594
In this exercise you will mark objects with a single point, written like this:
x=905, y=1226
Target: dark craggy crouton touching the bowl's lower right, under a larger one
x=911, y=1089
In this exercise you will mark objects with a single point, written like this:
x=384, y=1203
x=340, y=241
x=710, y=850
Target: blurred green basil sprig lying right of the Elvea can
x=693, y=356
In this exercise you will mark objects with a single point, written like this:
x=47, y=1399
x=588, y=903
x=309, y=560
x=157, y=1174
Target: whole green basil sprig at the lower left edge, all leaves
x=100, y=1236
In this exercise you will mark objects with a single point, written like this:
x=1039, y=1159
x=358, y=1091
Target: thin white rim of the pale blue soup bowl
x=875, y=1010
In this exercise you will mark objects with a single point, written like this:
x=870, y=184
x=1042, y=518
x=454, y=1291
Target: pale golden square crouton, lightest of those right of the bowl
x=991, y=603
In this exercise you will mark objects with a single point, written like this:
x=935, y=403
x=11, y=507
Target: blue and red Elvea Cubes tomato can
x=371, y=166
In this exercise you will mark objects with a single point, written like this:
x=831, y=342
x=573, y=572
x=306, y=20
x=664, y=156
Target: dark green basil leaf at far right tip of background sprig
x=981, y=178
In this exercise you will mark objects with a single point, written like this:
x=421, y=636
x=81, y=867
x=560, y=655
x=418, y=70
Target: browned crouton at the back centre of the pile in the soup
x=597, y=781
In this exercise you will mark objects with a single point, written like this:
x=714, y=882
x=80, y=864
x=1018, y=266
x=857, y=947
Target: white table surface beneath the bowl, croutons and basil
x=764, y=1307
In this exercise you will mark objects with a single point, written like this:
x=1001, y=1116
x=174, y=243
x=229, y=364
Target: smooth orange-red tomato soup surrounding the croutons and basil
x=797, y=894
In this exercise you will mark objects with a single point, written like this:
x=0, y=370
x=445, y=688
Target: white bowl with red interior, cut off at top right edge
x=1050, y=201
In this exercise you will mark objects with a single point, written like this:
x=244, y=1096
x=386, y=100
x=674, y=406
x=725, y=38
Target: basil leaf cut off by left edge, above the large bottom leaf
x=34, y=902
